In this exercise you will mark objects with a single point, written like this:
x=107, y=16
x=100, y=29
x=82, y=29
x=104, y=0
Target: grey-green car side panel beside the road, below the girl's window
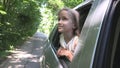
x=49, y=58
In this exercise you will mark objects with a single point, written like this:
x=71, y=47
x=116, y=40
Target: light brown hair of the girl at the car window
x=74, y=15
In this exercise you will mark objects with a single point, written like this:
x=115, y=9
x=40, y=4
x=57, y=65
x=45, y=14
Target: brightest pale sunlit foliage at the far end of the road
x=45, y=25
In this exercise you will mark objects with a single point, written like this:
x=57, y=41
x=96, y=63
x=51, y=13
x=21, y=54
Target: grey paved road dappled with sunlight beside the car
x=27, y=56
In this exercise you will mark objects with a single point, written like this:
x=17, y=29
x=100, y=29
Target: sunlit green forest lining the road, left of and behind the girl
x=20, y=19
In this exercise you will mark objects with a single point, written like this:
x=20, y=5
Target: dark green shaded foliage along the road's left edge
x=19, y=19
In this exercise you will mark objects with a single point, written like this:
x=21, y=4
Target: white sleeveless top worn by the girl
x=70, y=45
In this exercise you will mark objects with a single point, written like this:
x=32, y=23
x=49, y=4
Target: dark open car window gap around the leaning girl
x=83, y=10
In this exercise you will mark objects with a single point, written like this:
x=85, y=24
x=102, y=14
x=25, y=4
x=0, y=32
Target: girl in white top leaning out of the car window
x=68, y=20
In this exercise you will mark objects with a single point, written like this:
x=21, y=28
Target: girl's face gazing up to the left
x=65, y=24
